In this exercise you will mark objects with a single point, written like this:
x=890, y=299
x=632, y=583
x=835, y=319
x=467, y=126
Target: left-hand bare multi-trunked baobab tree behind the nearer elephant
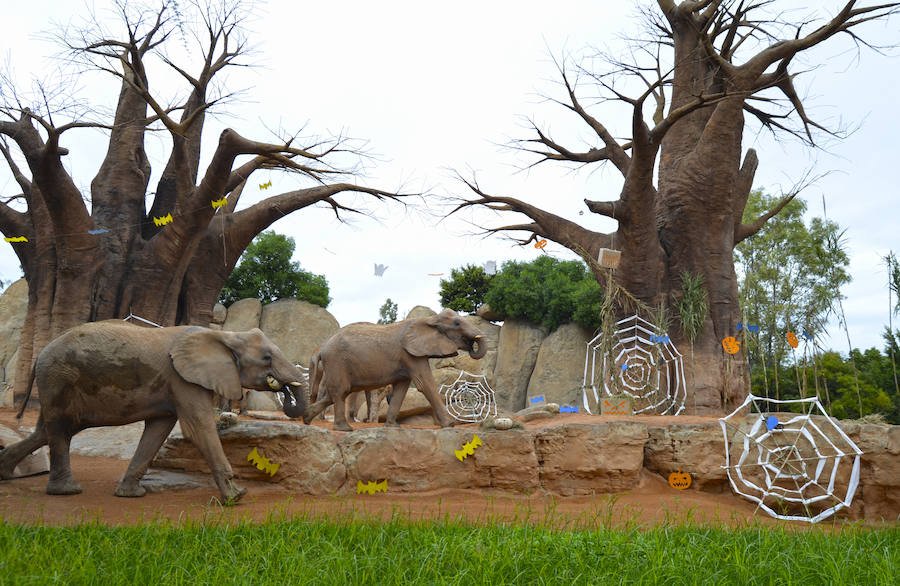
x=120, y=248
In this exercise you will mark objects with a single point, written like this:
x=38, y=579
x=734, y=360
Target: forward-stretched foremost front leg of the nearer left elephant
x=195, y=412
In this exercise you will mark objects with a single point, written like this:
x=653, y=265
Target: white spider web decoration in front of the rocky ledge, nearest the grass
x=794, y=465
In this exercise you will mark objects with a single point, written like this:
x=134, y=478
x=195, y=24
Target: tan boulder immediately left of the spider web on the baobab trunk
x=559, y=369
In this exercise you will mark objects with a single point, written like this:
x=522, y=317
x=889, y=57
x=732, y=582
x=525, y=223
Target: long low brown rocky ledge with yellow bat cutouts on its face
x=565, y=459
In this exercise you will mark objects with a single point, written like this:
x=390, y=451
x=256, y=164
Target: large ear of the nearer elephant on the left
x=201, y=357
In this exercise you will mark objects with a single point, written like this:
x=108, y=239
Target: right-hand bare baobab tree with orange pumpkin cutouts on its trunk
x=688, y=84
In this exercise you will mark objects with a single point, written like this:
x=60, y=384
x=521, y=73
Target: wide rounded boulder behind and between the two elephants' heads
x=297, y=327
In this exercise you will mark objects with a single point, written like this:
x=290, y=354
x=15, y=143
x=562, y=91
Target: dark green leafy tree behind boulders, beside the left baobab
x=267, y=273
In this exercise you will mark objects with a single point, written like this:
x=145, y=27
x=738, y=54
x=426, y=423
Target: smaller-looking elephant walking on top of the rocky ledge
x=364, y=356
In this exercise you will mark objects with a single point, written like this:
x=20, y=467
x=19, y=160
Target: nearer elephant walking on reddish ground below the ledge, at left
x=113, y=373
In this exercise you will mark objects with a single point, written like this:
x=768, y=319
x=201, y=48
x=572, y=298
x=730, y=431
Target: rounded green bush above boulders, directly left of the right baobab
x=548, y=292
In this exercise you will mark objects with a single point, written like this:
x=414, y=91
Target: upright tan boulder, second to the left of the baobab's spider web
x=518, y=347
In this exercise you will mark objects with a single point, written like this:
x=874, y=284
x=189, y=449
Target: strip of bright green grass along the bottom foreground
x=400, y=551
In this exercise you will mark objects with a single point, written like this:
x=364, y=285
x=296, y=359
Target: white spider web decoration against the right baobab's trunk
x=647, y=366
